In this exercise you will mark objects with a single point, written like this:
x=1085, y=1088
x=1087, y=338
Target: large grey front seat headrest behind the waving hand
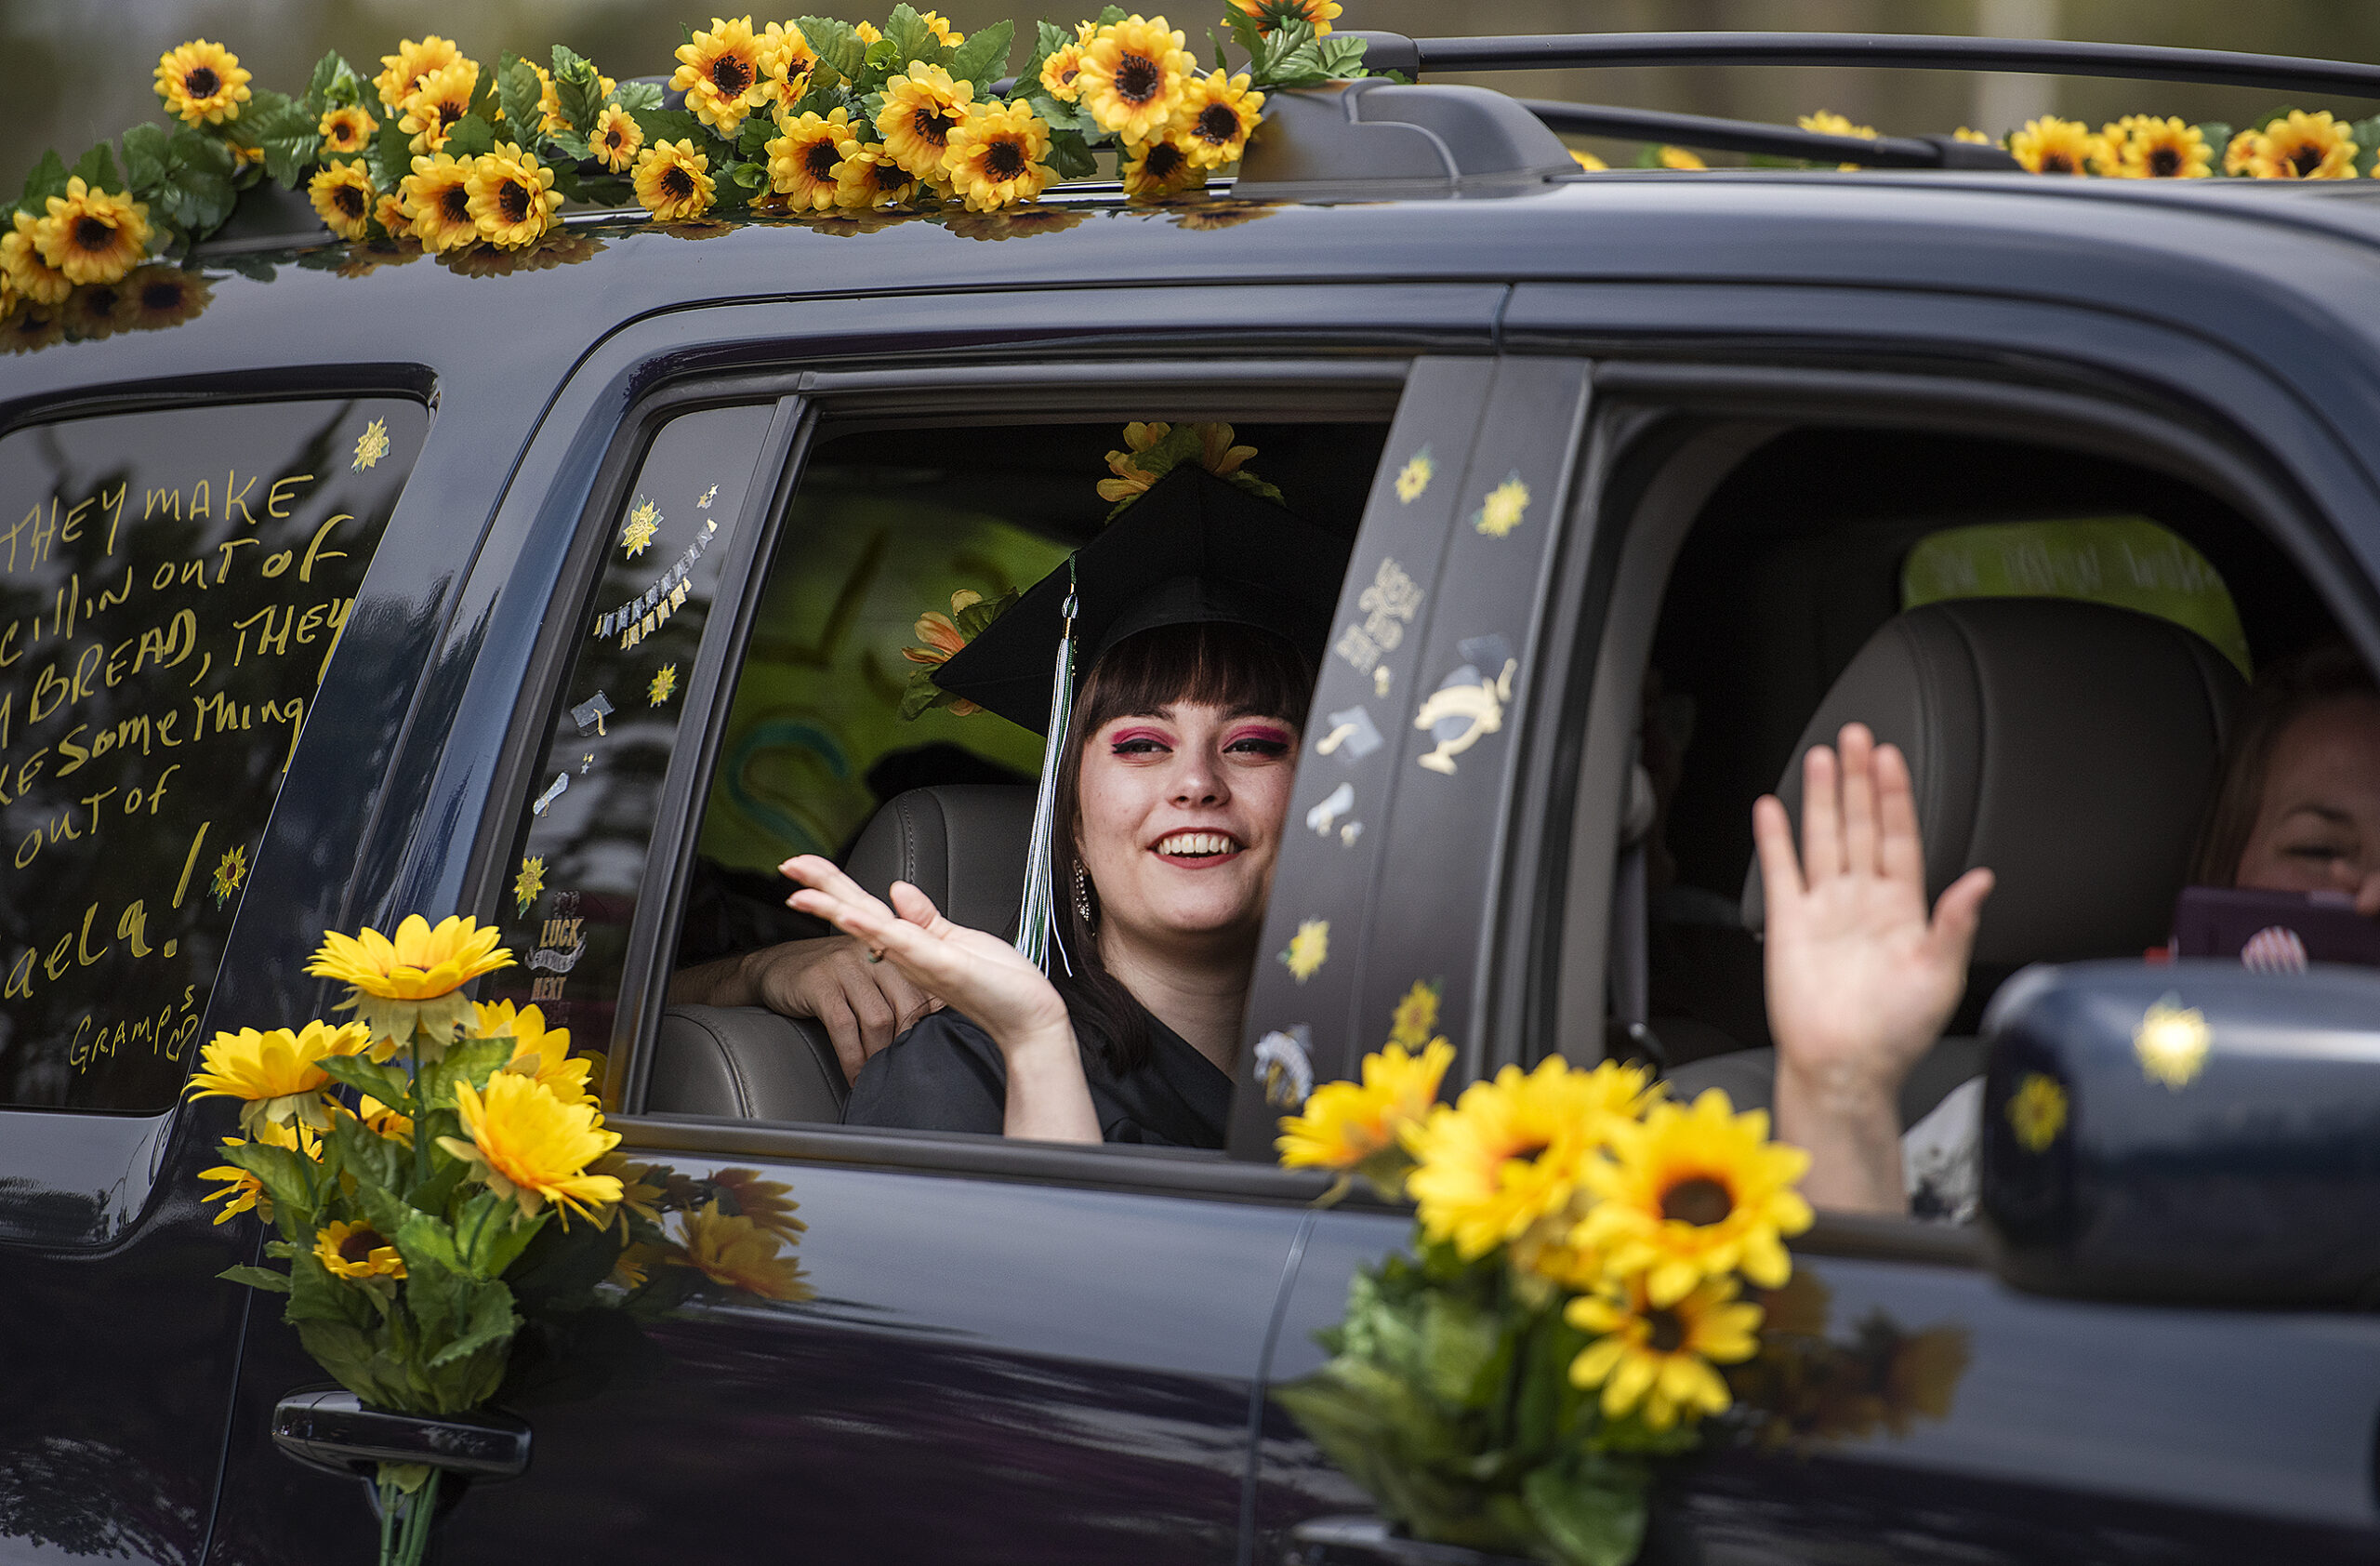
x=2067, y=746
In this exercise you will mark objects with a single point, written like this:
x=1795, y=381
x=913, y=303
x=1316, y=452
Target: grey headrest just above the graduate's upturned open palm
x=960, y=844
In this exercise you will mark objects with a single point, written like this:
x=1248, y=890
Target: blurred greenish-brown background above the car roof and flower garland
x=80, y=70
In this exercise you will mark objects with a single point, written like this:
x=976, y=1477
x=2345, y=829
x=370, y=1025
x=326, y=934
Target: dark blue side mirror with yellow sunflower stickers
x=2186, y=1134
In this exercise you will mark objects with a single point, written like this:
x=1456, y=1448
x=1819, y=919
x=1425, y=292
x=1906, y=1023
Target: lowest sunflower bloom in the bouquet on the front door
x=1658, y=1358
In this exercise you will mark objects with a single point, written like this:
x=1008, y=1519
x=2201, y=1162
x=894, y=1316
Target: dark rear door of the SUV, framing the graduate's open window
x=1003, y=1353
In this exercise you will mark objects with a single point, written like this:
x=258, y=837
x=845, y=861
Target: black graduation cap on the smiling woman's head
x=1191, y=551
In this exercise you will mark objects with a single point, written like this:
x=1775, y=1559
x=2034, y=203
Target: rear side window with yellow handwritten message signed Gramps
x=173, y=587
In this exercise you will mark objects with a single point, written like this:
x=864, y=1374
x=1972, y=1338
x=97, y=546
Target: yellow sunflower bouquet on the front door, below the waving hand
x=1582, y=1251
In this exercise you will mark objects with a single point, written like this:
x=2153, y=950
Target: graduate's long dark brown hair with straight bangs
x=1213, y=663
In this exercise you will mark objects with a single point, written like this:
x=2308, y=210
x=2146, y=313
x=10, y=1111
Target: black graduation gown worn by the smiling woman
x=948, y=1075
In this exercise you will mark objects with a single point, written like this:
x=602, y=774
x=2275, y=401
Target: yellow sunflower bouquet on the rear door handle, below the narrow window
x=425, y=1165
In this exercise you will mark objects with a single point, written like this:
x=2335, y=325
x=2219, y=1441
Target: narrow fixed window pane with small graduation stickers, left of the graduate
x=575, y=875
